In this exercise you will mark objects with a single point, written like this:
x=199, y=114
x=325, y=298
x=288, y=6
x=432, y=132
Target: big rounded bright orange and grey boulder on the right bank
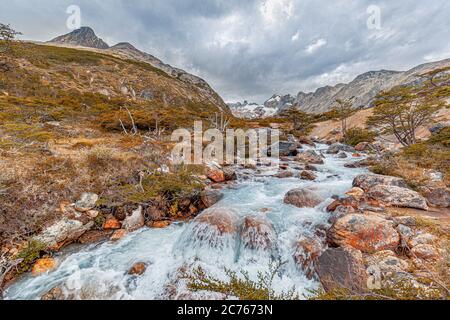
x=368, y=233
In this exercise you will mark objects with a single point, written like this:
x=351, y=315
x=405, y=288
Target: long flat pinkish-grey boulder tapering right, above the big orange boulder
x=398, y=197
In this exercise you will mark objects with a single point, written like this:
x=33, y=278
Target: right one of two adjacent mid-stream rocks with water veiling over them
x=258, y=233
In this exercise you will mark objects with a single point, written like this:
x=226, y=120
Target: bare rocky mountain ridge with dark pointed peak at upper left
x=86, y=37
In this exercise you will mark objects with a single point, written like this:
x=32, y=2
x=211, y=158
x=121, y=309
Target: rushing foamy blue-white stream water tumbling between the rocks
x=100, y=271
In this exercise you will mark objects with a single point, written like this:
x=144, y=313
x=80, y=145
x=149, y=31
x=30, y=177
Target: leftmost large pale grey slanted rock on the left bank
x=63, y=231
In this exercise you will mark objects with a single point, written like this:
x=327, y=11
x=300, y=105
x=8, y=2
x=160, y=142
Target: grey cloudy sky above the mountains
x=251, y=49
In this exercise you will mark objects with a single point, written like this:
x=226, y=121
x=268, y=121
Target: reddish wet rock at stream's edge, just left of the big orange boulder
x=307, y=251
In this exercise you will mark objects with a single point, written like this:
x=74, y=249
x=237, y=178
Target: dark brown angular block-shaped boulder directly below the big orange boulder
x=339, y=268
